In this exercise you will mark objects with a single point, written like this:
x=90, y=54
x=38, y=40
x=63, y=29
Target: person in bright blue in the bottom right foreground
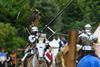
x=91, y=60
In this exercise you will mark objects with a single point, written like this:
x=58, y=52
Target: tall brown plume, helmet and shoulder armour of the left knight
x=34, y=26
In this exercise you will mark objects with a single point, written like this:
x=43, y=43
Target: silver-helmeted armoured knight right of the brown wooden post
x=85, y=42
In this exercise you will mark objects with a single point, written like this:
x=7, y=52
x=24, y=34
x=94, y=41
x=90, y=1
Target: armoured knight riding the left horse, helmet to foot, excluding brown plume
x=32, y=38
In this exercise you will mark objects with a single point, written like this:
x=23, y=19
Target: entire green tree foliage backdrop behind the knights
x=14, y=18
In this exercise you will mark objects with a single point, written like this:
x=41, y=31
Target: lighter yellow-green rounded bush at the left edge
x=8, y=38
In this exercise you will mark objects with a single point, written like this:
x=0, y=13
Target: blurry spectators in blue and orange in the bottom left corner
x=7, y=59
